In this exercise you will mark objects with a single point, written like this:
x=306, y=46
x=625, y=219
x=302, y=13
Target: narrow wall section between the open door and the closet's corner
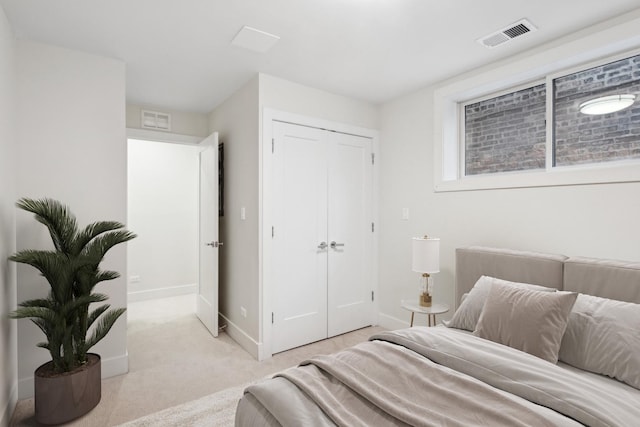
x=236, y=121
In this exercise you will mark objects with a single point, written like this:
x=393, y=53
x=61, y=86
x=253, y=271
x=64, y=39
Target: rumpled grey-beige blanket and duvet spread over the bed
x=439, y=377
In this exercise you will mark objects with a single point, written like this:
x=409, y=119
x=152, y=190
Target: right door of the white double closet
x=350, y=216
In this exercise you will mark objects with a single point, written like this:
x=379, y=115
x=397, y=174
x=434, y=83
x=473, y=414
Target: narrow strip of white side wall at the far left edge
x=8, y=156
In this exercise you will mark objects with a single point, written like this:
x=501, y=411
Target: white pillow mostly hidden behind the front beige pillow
x=467, y=315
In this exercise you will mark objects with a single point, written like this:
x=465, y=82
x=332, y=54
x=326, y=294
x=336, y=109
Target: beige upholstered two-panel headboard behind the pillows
x=605, y=278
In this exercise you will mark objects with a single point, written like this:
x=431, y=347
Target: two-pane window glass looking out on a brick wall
x=509, y=132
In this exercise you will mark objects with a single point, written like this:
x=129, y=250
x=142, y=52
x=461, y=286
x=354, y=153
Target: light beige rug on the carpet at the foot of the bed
x=216, y=410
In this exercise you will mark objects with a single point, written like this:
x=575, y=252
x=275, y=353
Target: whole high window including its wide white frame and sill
x=556, y=65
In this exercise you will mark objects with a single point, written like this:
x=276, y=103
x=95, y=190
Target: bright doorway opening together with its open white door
x=173, y=207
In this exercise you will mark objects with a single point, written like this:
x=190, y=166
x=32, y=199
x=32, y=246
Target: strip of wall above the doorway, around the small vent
x=182, y=122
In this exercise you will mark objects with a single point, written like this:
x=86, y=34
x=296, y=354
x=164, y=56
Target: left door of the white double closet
x=300, y=226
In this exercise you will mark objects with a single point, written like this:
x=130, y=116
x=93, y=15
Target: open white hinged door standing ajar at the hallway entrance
x=208, y=245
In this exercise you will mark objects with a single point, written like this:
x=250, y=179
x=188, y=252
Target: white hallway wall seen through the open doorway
x=162, y=209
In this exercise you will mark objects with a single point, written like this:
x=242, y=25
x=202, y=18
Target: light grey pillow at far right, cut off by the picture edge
x=603, y=336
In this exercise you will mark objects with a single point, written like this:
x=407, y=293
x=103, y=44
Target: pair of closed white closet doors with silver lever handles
x=322, y=238
